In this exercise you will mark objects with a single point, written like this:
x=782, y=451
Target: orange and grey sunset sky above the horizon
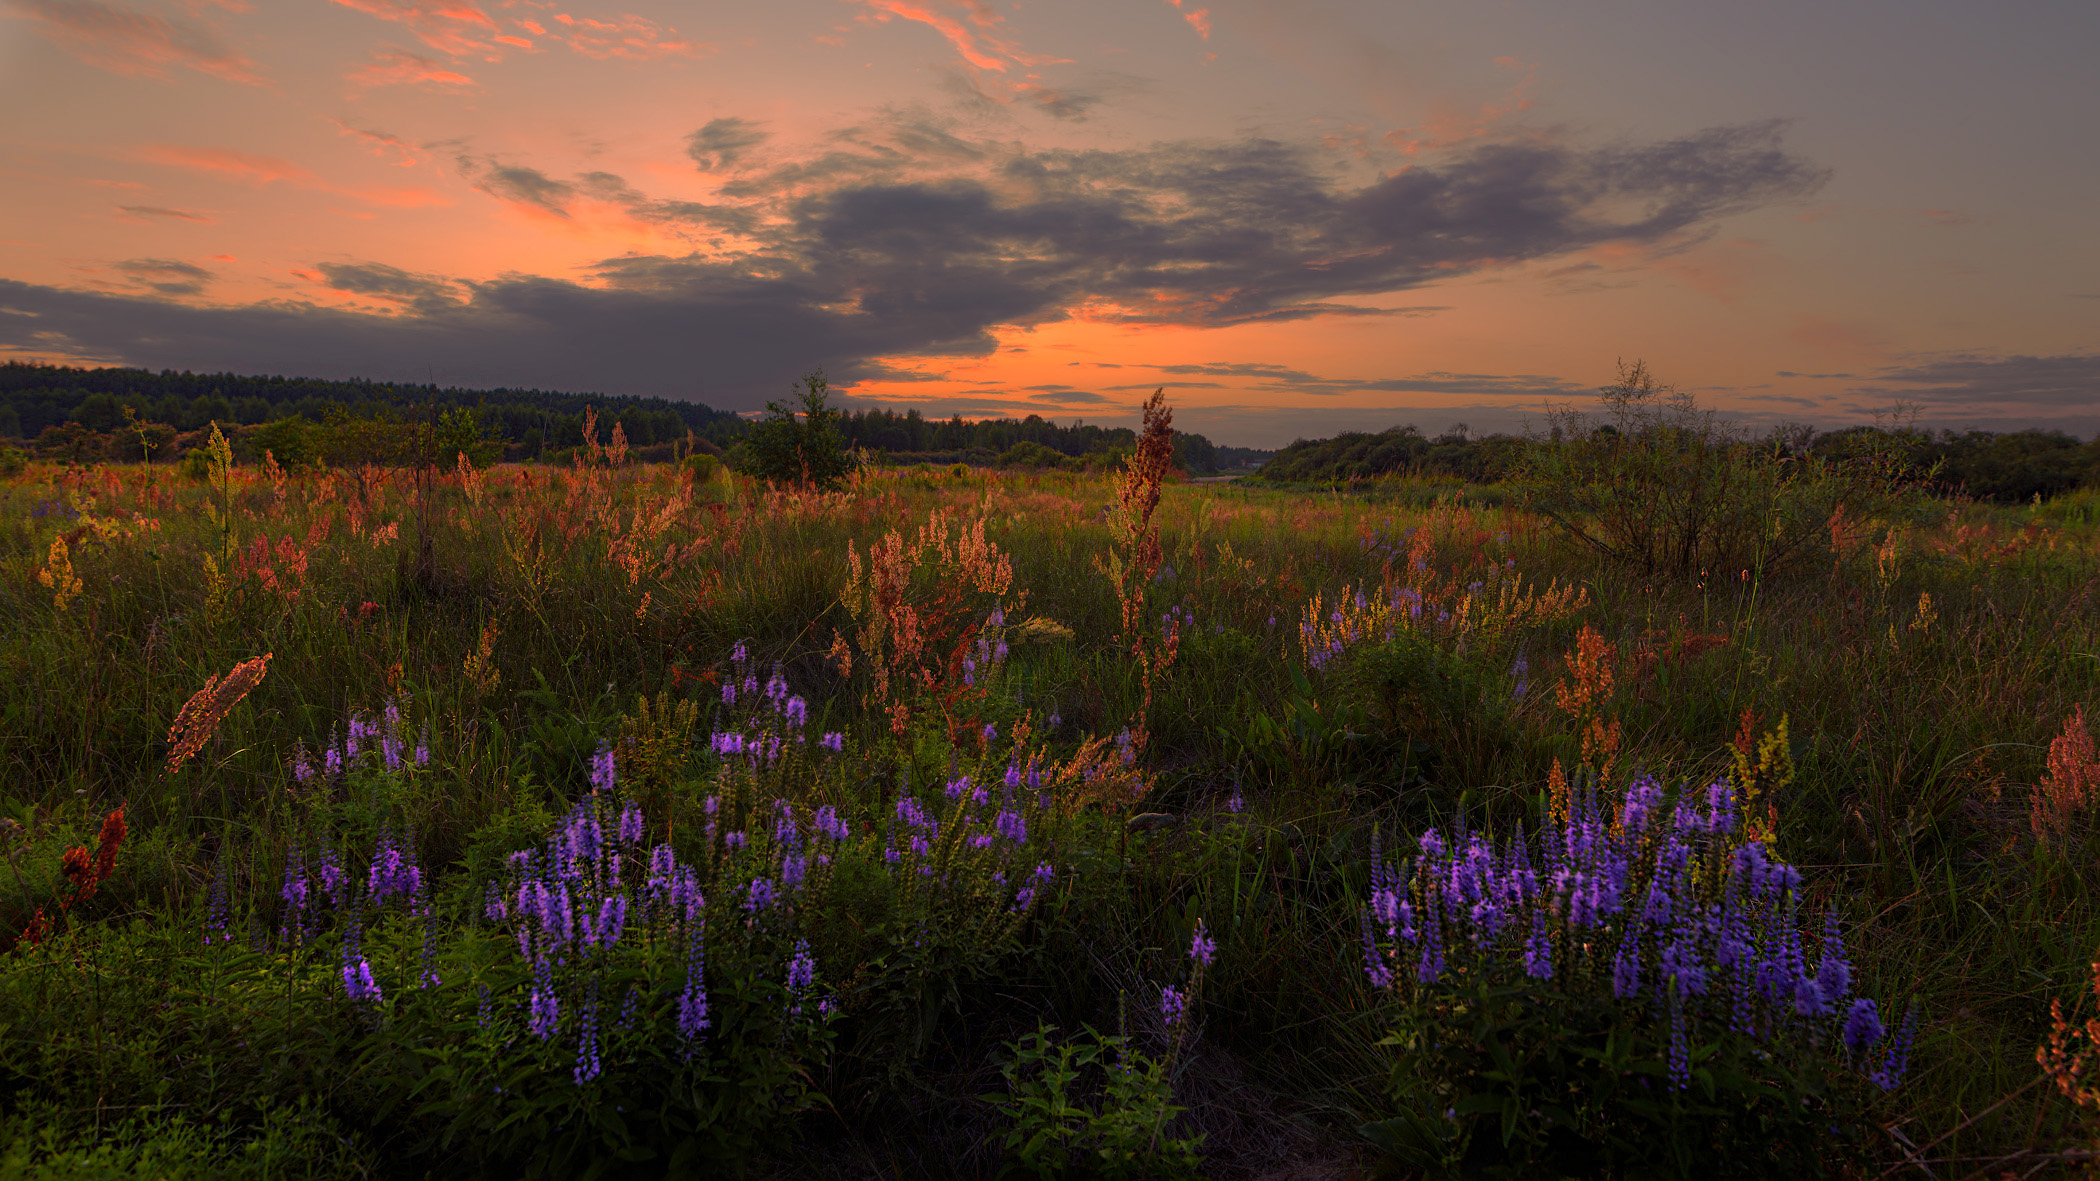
x=1299, y=217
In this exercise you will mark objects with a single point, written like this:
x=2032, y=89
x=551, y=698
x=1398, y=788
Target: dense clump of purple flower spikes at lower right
x=1643, y=921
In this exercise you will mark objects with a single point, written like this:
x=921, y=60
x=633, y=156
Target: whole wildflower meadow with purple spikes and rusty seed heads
x=597, y=819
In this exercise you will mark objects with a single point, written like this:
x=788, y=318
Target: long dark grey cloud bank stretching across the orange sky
x=906, y=241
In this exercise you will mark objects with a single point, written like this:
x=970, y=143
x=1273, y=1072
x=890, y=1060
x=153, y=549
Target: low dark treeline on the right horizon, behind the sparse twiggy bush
x=2004, y=468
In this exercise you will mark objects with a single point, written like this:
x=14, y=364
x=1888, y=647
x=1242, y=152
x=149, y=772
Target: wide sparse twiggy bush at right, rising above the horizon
x=1671, y=491
